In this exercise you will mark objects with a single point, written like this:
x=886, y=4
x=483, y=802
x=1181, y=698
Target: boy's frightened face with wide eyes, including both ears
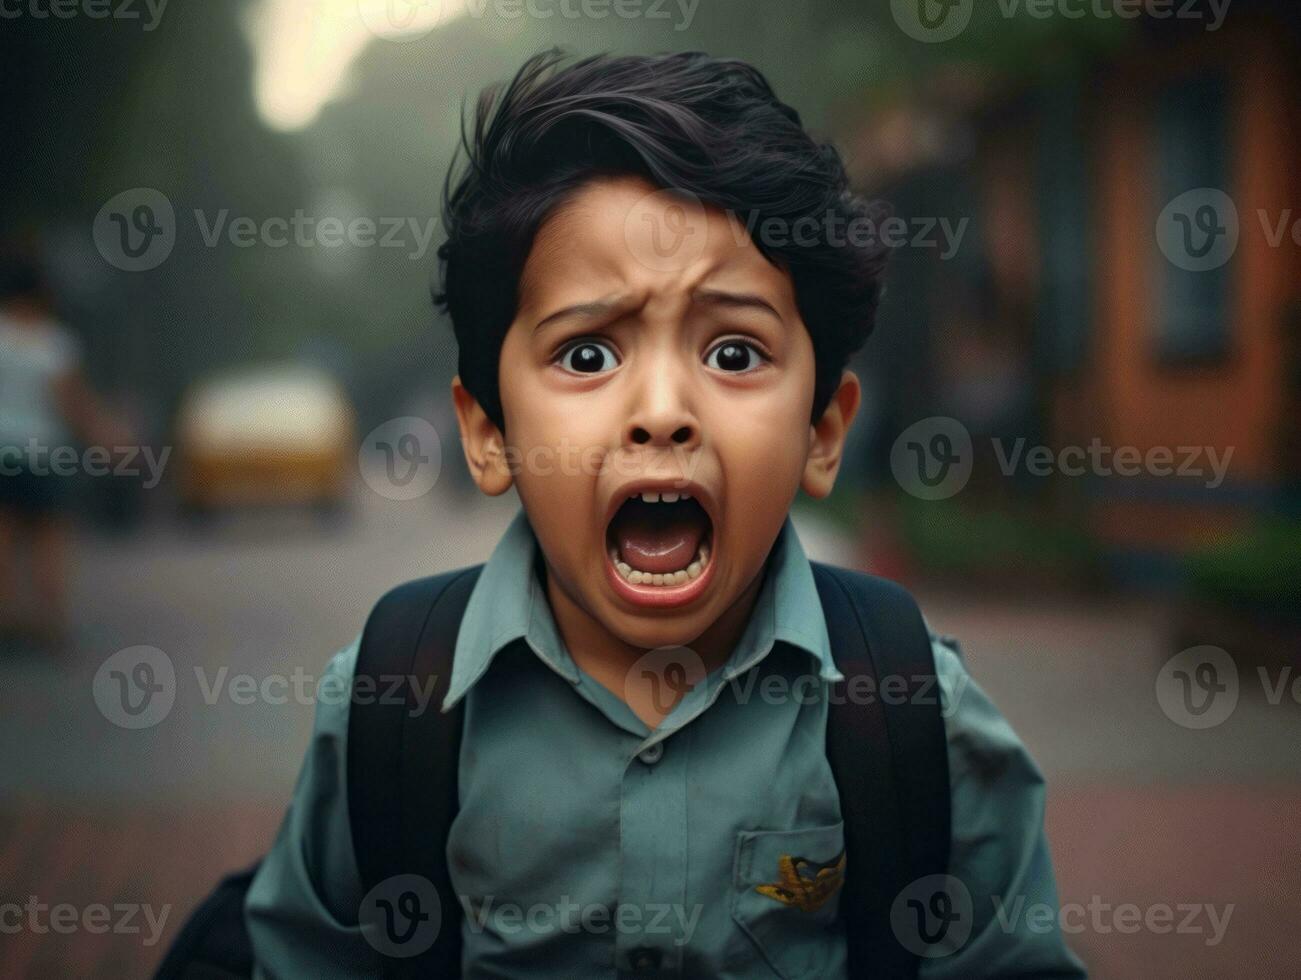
x=655, y=351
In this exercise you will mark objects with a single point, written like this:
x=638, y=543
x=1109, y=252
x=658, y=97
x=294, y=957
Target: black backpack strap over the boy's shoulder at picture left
x=403, y=762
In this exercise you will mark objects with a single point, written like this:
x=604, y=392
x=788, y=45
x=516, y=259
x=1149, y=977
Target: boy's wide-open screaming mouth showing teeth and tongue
x=660, y=543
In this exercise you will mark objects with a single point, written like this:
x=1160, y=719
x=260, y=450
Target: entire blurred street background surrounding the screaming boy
x=227, y=428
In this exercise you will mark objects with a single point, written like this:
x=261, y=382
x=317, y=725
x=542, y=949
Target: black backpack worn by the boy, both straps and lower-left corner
x=889, y=758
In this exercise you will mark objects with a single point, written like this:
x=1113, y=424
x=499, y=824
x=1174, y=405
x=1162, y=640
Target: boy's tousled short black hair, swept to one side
x=686, y=122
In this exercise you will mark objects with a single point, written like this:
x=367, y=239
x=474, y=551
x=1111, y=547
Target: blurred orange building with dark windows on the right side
x=1136, y=251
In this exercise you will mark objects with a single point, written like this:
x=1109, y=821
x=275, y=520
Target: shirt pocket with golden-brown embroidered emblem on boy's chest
x=786, y=899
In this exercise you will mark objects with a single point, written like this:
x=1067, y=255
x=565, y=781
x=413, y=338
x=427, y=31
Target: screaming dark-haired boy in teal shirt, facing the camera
x=656, y=370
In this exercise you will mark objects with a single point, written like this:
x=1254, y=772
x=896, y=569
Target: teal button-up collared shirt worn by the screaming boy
x=589, y=845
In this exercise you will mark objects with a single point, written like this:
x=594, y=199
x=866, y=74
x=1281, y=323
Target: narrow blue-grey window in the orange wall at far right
x=1194, y=145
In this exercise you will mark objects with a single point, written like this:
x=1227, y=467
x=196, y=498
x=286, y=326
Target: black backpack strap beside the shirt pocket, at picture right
x=889, y=757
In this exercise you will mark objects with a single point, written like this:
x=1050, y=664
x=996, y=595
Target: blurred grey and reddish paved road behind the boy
x=1143, y=811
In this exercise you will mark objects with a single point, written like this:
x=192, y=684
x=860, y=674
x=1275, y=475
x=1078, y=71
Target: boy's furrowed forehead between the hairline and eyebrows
x=625, y=235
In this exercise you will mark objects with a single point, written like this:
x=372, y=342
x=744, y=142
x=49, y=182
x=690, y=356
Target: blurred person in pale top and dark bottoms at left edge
x=45, y=403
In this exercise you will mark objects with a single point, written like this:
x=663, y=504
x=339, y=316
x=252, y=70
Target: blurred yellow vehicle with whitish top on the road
x=276, y=435
